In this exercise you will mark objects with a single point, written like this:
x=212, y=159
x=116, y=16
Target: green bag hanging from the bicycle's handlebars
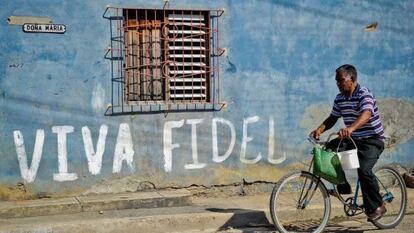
x=327, y=165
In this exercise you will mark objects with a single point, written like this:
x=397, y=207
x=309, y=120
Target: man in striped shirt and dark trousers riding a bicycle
x=358, y=107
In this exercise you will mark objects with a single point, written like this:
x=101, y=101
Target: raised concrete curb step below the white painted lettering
x=41, y=207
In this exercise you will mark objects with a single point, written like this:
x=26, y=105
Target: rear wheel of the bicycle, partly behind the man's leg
x=394, y=194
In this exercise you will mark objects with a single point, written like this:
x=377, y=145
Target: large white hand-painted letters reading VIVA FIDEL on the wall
x=124, y=147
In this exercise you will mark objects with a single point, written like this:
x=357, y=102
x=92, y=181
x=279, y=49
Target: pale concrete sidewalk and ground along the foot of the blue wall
x=163, y=211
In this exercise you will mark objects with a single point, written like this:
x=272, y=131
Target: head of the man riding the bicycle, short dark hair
x=346, y=79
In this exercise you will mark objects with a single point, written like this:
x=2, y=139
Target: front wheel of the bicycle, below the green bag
x=300, y=203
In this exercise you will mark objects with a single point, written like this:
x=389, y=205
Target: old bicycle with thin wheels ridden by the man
x=300, y=201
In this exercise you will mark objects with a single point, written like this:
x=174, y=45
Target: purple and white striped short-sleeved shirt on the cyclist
x=350, y=108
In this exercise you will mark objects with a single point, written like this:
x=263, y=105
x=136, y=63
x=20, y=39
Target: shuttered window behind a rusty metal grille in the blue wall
x=164, y=60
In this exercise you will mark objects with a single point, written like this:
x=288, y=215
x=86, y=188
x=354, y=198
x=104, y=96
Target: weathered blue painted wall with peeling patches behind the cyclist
x=279, y=64
